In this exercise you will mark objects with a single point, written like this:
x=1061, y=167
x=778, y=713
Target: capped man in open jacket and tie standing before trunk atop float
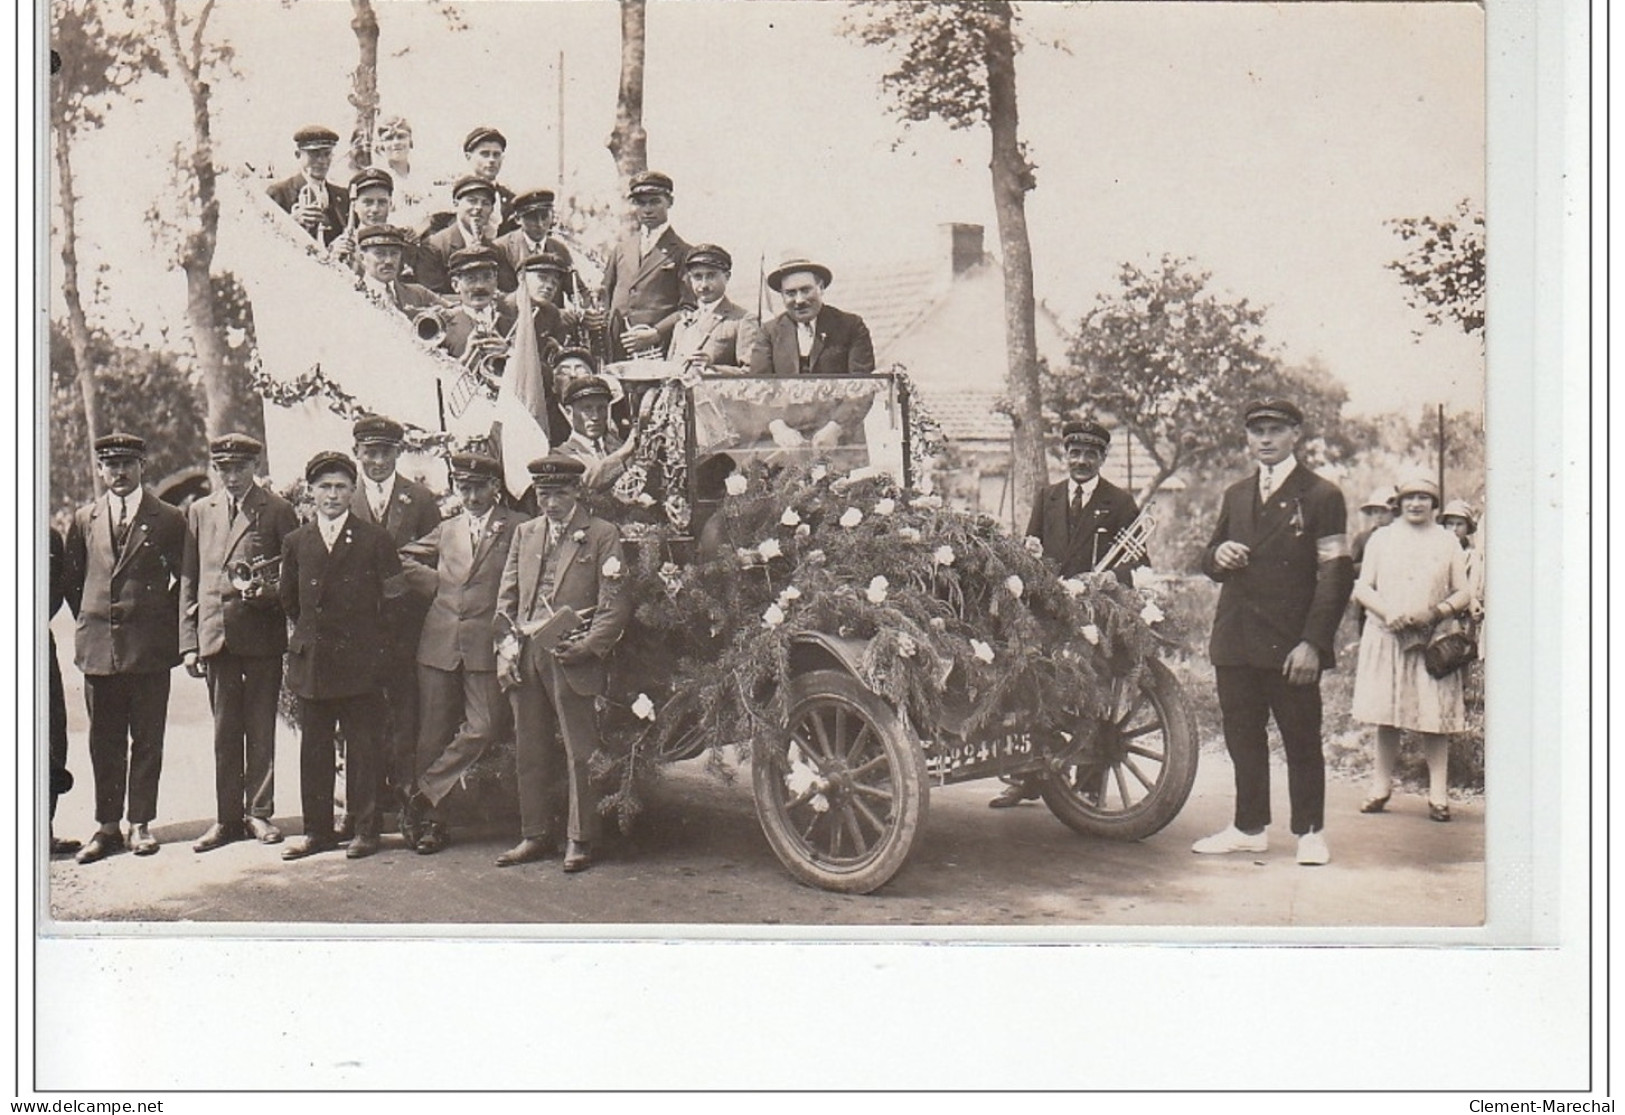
x=644, y=277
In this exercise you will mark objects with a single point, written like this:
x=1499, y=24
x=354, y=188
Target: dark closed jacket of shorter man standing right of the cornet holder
x=336, y=602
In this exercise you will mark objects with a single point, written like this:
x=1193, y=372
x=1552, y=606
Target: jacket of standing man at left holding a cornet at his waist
x=214, y=614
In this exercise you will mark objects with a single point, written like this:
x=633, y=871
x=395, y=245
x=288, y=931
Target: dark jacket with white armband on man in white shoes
x=1298, y=579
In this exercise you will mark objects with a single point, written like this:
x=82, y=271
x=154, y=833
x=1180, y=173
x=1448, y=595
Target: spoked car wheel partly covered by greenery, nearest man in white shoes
x=1142, y=768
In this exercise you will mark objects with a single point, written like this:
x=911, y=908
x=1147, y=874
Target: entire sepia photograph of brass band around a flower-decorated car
x=726, y=467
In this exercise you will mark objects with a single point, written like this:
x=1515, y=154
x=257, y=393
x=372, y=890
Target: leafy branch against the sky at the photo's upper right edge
x=1444, y=267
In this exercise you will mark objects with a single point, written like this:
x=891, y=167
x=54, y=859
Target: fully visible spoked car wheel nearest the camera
x=844, y=792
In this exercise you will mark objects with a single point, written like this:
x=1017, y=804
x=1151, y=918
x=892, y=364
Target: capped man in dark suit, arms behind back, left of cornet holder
x=124, y=584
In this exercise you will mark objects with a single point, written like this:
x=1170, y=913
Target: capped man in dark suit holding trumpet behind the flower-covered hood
x=1078, y=521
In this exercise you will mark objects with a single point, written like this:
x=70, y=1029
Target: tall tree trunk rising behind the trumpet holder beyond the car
x=1012, y=181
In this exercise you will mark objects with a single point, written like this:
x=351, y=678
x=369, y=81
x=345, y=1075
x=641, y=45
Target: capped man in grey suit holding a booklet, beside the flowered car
x=561, y=609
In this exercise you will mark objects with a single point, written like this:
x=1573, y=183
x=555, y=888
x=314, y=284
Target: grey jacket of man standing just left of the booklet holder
x=464, y=586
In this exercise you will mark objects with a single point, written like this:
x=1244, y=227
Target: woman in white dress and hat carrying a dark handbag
x=1415, y=576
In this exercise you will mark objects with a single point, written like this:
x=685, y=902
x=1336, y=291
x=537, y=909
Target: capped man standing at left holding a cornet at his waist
x=233, y=635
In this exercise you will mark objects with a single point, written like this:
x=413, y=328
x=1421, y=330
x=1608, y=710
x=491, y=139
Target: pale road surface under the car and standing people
x=701, y=859
